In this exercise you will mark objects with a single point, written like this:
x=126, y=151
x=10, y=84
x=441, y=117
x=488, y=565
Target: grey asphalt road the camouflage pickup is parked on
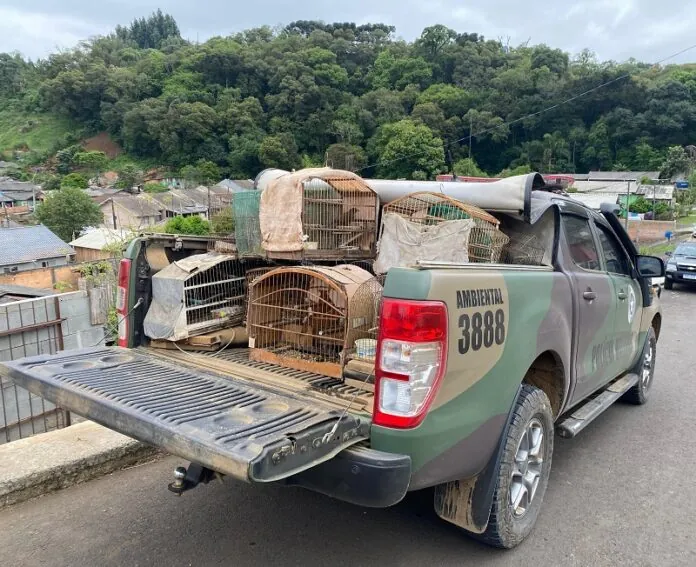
x=620, y=494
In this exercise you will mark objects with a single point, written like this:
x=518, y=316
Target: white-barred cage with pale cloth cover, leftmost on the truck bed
x=195, y=295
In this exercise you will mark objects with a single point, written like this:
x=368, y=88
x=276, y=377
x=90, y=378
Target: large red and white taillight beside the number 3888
x=411, y=356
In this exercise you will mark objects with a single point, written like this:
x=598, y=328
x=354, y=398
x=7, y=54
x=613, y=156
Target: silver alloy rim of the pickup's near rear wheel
x=527, y=468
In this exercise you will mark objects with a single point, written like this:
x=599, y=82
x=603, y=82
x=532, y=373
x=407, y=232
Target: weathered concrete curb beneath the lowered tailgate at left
x=65, y=457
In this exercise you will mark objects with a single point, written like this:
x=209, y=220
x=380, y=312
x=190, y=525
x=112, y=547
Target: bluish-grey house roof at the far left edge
x=30, y=244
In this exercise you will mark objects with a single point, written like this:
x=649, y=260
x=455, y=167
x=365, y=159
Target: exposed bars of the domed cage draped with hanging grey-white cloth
x=485, y=242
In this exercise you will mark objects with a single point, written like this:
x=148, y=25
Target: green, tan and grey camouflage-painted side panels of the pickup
x=538, y=309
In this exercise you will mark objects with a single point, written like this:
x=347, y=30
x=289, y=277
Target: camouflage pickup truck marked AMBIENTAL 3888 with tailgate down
x=478, y=365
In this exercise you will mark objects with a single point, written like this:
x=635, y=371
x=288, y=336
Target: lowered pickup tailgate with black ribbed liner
x=227, y=424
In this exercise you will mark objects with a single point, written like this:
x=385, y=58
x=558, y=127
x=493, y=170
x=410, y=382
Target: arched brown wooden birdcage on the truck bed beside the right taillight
x=303, y=317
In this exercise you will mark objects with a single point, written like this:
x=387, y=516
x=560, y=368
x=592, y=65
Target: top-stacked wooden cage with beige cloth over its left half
x=318, y=213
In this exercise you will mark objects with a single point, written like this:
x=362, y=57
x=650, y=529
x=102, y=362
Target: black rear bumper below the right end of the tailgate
x=361, y=476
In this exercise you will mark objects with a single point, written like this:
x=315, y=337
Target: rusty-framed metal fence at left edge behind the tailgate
x=27, y=328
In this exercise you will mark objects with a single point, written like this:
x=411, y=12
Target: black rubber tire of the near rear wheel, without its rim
x=509, y=524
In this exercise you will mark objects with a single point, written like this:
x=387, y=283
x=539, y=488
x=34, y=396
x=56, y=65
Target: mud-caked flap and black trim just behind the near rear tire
x=467, y=503
